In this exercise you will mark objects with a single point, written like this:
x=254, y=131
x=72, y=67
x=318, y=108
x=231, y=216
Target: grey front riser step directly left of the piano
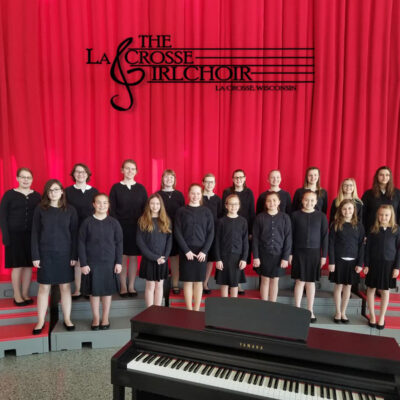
x=118, y=334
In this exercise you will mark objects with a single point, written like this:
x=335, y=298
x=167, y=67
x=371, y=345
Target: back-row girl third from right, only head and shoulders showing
x=312, y=181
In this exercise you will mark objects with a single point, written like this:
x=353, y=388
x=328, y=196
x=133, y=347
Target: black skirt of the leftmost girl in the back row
x=18, y=253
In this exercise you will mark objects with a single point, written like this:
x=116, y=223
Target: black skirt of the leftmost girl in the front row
x=55, y=268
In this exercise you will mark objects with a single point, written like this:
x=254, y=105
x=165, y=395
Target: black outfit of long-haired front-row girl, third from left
x=153, y=245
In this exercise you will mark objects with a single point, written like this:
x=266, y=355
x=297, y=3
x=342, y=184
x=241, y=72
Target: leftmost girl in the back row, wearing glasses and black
x=16, y=213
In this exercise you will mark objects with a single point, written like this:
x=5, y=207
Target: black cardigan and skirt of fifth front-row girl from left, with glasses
x=231, y=246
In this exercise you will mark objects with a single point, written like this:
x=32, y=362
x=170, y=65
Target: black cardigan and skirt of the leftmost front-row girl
x=54, y=243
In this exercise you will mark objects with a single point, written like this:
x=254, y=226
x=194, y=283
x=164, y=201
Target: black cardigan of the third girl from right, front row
x=310, y=231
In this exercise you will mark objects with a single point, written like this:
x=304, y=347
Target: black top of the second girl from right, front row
x=348, y=242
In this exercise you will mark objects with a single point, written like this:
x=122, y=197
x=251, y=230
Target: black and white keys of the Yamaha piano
x=239, y=381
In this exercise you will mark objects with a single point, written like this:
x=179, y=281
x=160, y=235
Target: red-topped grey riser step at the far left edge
x=18, y=339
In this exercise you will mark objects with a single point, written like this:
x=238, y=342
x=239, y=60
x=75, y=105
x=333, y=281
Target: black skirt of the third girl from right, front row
x=306, y=265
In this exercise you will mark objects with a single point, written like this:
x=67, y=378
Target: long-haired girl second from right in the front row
x=346, y=255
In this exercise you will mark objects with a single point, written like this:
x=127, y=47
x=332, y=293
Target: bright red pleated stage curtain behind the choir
x=55, y=108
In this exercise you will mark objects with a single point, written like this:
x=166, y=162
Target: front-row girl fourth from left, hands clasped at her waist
x=194, y=232
